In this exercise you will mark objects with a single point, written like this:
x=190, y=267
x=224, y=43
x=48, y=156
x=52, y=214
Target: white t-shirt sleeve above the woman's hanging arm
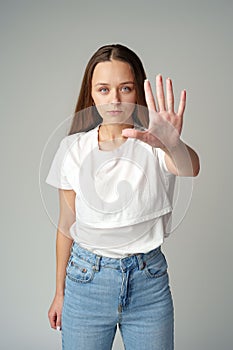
x=57, y=172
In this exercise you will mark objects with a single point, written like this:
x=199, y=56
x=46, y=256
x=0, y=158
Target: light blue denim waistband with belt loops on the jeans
x=128, y=262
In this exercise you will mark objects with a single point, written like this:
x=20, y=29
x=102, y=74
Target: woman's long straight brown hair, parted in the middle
x=86, y=116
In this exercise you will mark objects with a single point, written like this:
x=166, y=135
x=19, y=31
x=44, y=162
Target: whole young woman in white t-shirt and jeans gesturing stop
x=115, y=172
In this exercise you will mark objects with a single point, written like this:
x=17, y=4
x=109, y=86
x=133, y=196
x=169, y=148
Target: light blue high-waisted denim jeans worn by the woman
x=102, y=292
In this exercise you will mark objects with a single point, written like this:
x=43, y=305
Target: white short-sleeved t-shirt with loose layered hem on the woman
x=123, y=197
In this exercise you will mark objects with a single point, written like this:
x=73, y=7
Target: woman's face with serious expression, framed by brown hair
x=113, y=91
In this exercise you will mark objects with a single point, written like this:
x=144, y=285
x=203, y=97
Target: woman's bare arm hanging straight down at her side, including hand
x=63, y=245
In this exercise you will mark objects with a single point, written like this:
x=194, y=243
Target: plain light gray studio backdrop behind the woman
x=45, y=46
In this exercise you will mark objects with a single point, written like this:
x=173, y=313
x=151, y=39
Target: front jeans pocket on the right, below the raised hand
x=156, y=266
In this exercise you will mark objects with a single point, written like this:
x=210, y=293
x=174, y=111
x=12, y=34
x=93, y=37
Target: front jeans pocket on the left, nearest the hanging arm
x=79, y=270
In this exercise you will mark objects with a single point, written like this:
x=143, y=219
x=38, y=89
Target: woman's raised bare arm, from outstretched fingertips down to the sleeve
x=165, y=126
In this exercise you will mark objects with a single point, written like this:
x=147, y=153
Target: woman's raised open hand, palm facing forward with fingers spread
x=165, y=124
